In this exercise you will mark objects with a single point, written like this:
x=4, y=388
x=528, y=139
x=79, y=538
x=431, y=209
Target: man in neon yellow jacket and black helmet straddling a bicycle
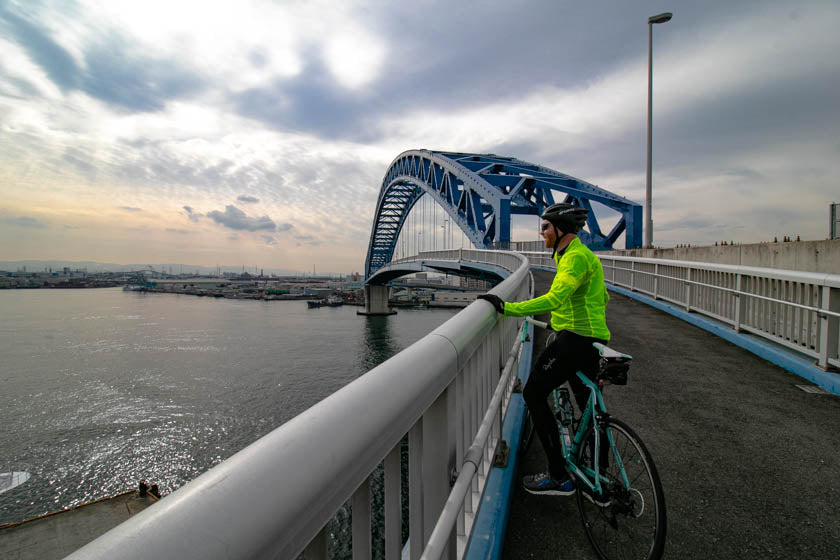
x=577, y=301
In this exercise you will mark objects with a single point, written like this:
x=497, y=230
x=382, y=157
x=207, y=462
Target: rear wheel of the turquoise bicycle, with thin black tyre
x=628, y=520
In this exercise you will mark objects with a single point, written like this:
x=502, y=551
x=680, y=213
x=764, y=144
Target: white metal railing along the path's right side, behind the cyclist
x=798, y=310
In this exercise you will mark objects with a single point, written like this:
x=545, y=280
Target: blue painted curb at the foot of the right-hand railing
x=782, y=358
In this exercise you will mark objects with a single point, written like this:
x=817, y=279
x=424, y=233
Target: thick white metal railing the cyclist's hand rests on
x=274, y=499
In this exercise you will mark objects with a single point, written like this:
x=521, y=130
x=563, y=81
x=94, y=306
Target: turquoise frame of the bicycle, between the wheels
x=584, y=474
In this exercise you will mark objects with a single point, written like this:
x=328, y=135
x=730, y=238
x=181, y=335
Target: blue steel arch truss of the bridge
x=480, y=192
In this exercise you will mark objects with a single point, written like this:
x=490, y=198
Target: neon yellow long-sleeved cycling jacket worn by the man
x=577, y=298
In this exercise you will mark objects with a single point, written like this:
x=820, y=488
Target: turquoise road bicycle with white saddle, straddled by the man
x=620, y=496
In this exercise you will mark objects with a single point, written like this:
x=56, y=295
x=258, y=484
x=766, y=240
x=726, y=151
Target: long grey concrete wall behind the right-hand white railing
x=803, y=256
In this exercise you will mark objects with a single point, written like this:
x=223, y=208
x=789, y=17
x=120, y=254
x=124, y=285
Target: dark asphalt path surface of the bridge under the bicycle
x=749, y=462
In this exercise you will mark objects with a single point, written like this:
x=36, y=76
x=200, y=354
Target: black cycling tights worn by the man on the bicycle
x=559, y=363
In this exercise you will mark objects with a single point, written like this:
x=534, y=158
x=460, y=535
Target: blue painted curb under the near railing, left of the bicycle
x=488, y=534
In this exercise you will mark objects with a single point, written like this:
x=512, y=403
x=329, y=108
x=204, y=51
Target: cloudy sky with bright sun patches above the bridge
x=258, y=132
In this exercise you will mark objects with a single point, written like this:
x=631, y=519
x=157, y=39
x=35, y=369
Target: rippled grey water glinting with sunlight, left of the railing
x=103, y=388
